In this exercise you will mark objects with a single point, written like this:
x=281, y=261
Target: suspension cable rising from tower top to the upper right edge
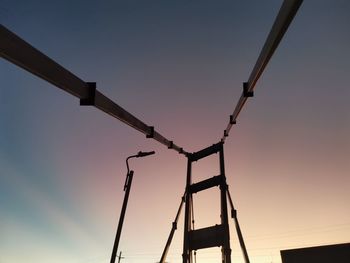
x=285, y=16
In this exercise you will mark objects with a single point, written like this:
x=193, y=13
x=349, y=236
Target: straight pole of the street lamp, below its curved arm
x=127, y=187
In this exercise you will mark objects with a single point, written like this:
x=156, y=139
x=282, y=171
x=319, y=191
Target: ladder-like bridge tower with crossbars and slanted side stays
x=213, y=236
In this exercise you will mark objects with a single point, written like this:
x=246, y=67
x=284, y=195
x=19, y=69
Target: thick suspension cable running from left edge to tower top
x=22, y=54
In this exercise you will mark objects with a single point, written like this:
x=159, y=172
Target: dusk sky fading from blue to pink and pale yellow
x=178, y=66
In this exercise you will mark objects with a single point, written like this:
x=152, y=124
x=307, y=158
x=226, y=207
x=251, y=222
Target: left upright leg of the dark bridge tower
x=186, y=256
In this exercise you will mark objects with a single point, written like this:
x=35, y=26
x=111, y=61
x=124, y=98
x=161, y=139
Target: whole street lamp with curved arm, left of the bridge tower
x=127, y=186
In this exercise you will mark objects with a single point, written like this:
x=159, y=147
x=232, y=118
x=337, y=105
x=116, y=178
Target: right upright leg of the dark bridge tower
x=225, y=250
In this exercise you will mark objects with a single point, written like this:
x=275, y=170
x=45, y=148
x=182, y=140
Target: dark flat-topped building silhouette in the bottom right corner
x=338, y=253
